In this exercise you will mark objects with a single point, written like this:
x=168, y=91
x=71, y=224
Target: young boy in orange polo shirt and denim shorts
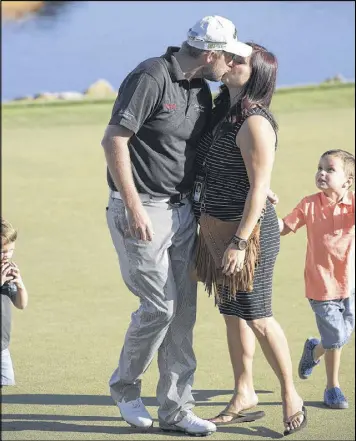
x=329, y=217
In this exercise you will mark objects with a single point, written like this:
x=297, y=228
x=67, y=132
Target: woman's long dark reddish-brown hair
x=258, y=90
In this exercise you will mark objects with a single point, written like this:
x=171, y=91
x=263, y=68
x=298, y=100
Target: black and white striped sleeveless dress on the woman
x=226, y=188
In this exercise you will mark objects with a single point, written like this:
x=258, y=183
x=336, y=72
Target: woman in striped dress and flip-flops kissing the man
x=239, y=235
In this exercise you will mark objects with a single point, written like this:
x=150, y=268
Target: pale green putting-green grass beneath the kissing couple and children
x=67, y=343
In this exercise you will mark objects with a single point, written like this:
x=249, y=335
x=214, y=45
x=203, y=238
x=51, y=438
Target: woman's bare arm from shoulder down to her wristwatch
x=256, y=140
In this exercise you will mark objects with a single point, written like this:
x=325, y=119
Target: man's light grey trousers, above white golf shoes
x=159, y=274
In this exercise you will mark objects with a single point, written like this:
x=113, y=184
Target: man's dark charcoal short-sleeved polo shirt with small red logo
x=168, y=115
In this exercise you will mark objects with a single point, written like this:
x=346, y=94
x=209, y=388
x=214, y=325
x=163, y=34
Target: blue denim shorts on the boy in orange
x=335, y=320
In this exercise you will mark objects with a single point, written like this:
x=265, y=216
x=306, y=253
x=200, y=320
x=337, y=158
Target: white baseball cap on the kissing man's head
x=217, y=33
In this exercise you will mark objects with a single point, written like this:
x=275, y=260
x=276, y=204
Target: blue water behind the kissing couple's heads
x=92, y=40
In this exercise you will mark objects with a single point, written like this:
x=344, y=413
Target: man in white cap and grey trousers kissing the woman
x=162, y=108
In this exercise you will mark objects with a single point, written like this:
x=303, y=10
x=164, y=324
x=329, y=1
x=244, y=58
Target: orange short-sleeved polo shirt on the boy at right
x=331, y=238
